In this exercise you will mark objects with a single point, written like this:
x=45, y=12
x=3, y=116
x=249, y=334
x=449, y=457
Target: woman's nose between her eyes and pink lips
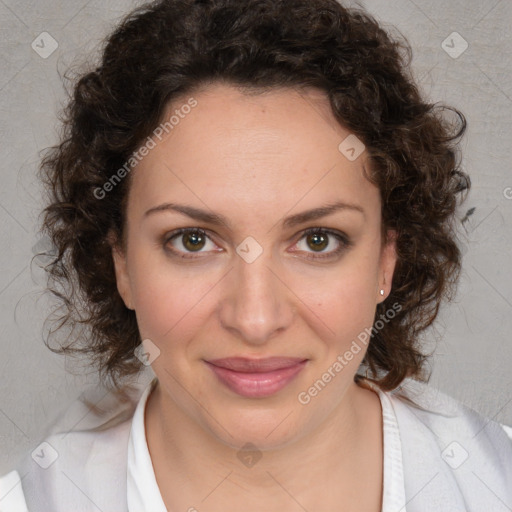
x=257, y=303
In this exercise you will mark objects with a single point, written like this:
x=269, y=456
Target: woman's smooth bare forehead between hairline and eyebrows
x=261, y=150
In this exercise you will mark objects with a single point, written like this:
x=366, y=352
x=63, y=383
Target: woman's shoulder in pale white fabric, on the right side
x=454, y=448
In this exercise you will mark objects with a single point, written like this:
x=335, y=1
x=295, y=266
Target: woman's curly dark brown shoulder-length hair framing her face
x=169, y=48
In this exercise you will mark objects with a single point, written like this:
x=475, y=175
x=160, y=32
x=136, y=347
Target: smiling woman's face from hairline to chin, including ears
x=253, y=174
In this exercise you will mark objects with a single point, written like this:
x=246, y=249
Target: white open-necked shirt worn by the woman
x=438, y=455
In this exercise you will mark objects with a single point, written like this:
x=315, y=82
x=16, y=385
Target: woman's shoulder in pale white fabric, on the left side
x=82, y=458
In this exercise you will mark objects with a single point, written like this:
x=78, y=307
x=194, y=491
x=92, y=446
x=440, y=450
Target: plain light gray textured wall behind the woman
x=472, y=337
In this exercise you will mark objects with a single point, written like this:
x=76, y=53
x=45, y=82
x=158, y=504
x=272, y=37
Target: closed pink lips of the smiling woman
x=256, y=378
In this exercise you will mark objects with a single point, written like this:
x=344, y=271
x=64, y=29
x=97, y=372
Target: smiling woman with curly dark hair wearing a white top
x=254, y=199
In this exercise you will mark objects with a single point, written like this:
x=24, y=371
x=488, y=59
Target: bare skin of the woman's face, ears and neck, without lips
x=257, y=159
